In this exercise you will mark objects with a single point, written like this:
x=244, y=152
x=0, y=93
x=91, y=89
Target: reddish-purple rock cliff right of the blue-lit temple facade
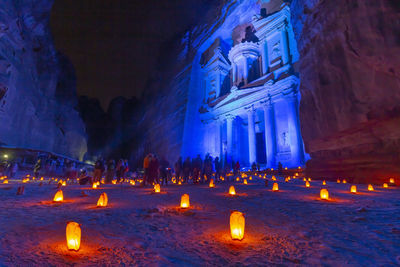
x=350, y=86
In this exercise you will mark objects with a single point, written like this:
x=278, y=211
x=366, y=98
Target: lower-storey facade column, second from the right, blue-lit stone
x=270, y=133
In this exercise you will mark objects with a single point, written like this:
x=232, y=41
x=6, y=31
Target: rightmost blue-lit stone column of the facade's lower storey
x=296, y=143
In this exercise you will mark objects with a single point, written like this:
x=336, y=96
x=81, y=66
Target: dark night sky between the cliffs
x=114, y=44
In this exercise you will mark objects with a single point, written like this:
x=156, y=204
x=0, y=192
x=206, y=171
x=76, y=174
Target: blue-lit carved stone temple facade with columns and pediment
x=243, y=102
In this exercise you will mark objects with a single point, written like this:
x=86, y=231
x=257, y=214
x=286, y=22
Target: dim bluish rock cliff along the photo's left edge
x=37, y=84
